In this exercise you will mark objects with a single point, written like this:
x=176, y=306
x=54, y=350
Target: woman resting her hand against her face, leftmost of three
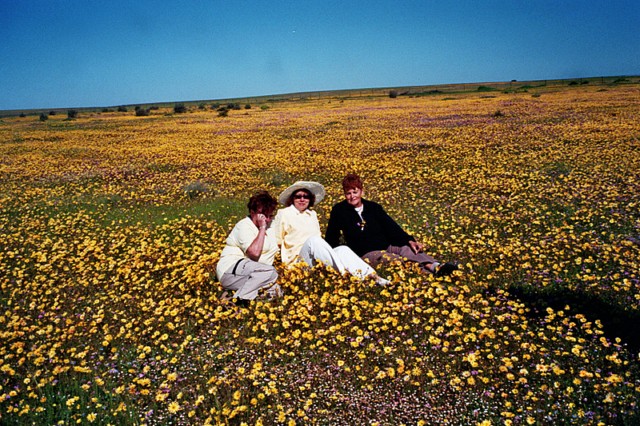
x=246, y=262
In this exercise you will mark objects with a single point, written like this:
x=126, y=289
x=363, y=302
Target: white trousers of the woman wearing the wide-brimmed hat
x=341, y=258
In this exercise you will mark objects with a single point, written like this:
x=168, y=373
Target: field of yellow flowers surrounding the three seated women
x=111, y=226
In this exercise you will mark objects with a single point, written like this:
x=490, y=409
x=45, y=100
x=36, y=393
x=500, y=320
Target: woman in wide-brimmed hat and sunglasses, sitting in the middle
x=297, y=232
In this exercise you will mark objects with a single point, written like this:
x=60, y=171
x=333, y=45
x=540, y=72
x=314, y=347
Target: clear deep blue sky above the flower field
x=98, y=53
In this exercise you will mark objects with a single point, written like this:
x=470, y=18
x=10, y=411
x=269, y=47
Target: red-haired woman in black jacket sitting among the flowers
x=372, y=234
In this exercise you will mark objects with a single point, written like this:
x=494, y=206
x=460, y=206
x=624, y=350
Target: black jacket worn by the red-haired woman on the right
x=378, y=232
